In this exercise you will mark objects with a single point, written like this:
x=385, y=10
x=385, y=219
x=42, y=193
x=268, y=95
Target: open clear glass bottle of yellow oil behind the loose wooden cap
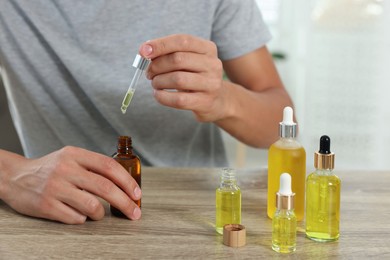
x=228, y=200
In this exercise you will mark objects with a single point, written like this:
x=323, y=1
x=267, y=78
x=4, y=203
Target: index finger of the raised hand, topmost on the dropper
x=175, y=43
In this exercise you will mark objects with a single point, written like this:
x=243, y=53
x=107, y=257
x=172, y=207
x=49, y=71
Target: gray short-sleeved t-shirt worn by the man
x=66, y=66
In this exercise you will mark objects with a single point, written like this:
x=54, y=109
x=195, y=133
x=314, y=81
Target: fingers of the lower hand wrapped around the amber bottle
x=100, y=175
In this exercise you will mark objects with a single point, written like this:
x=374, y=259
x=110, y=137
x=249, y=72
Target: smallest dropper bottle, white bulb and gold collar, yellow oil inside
x=284, y=221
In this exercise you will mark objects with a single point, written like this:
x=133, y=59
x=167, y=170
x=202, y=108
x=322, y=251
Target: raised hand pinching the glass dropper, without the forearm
x=187, y=74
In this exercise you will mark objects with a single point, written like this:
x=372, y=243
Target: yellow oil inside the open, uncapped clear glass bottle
x=228, y=208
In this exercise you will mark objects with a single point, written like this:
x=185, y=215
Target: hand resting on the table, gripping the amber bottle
x=63, y=185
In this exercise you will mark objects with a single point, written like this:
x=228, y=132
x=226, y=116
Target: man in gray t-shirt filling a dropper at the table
x=66, y=66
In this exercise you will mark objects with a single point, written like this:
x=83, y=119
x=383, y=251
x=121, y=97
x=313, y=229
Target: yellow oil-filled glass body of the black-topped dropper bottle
x=323, y=206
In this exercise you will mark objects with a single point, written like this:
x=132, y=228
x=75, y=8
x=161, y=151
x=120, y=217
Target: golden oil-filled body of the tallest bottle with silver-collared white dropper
x=287, y=155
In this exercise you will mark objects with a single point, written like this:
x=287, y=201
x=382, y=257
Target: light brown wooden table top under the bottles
x=178, y=216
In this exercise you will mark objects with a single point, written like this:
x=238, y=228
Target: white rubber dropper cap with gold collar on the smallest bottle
x=285, y=196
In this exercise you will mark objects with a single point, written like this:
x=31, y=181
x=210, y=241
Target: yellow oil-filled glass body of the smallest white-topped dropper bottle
x=284, y=231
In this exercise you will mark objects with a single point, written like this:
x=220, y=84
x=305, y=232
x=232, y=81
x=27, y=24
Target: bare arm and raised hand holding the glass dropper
x=187, y=74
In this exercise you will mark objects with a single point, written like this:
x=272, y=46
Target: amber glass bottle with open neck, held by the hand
x=130, y=162
